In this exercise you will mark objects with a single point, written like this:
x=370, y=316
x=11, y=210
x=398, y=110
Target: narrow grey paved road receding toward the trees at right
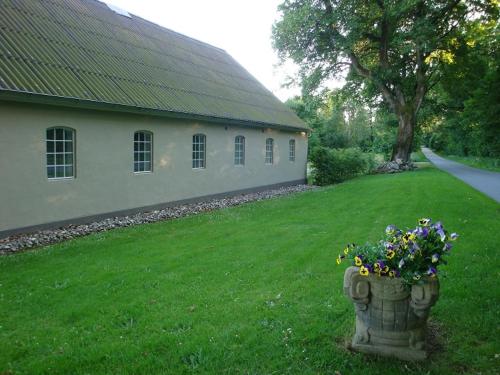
x=484, y=181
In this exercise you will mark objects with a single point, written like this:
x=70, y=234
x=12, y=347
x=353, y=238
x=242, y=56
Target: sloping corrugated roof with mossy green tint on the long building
x=82, y=50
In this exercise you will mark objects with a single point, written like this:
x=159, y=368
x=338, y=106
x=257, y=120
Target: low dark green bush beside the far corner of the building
x=336, y=165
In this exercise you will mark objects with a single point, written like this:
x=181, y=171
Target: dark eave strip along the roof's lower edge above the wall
x=28, y=97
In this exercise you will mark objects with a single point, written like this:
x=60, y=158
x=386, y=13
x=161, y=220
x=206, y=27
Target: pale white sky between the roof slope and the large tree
x=240, y=27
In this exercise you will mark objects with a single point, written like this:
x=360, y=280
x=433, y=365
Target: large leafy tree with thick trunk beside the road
x=393, y=47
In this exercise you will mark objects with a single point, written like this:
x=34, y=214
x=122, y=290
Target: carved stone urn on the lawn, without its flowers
x=391, y=319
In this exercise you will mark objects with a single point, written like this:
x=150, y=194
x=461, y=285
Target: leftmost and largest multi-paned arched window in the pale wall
x=60, y=152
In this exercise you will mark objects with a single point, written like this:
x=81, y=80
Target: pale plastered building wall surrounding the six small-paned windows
x=105, y=181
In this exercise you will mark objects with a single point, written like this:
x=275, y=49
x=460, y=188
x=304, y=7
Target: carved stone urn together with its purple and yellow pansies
x=393, y=284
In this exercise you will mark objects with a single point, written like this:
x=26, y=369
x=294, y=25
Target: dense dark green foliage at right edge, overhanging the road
x=463, y=111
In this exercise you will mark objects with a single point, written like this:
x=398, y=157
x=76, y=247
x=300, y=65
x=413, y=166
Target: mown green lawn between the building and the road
x=248, y=290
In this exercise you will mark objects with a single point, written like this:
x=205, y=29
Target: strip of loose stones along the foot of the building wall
x=23, y=241
